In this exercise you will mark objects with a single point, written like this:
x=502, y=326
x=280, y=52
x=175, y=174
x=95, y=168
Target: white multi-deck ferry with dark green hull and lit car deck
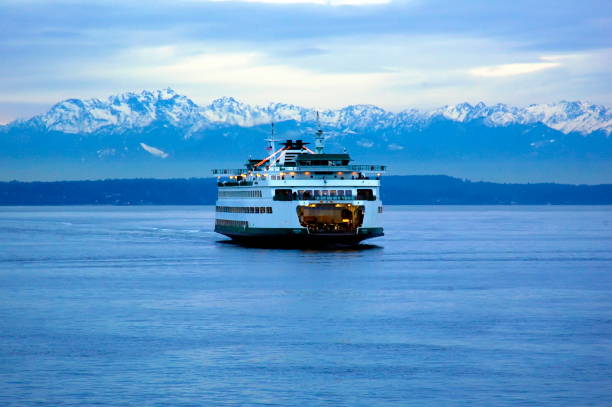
x=299, y=195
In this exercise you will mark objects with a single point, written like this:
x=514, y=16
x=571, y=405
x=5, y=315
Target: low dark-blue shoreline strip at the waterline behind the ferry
x=397, y=190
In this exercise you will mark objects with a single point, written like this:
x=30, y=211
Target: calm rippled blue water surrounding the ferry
x=142, y=306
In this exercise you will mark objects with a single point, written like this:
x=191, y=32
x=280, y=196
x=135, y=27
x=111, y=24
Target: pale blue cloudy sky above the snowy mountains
x=317, y=53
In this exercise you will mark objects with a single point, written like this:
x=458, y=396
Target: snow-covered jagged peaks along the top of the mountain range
x=165, y=107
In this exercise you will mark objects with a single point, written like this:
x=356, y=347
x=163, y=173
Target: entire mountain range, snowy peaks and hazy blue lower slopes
x=164, y=134
